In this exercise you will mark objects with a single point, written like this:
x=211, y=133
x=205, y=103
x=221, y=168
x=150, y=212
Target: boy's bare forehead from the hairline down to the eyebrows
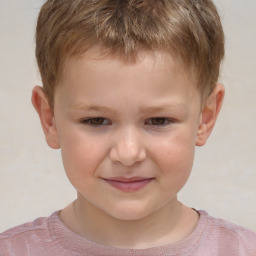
x=98, y=69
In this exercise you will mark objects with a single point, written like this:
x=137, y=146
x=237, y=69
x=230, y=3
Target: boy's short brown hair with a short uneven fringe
x=190, y=29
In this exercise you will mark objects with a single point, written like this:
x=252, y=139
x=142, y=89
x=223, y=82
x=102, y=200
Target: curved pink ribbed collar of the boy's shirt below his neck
x=77, y=245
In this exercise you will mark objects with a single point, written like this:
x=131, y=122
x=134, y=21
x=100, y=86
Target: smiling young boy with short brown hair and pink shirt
x=129, y=89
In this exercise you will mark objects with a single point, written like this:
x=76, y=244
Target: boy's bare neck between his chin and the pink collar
x=170, y=224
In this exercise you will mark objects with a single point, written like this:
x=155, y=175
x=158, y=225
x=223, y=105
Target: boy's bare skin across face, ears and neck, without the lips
x=128, y=119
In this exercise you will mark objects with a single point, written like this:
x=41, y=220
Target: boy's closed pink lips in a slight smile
x=128, y=184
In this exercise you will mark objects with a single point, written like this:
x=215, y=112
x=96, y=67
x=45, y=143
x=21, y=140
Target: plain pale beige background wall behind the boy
x=32, y=179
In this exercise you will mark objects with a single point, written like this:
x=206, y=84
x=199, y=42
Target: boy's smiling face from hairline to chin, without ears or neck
x=127, y=131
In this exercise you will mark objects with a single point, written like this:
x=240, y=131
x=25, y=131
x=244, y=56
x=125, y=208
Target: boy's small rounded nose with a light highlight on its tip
x=127, y=148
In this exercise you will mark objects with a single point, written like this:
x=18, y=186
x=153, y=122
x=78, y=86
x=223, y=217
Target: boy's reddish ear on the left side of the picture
x=40, y=103
